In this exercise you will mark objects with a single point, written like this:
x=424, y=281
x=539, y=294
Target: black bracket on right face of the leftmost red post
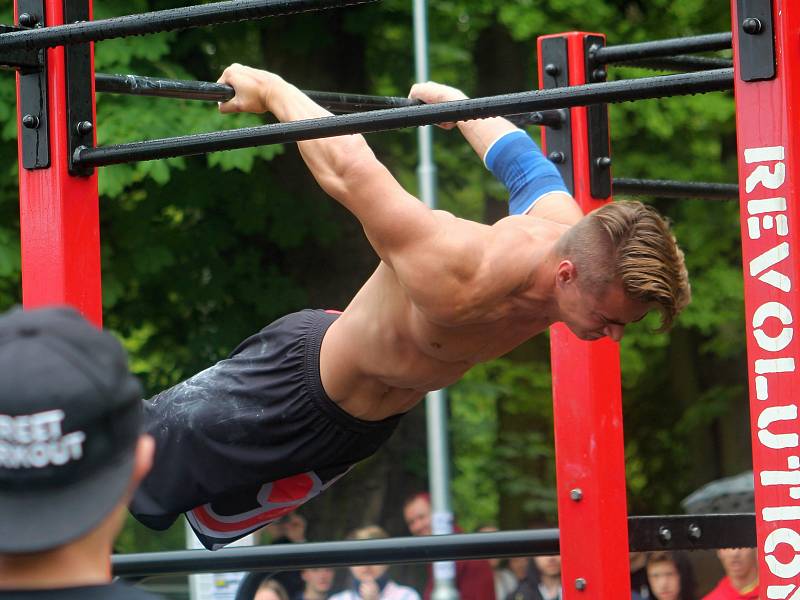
x=79, y=75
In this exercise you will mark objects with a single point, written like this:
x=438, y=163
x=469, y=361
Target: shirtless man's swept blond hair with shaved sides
x=631, y=243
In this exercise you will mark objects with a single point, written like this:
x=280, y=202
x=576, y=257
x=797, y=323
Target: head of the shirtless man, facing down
x=615, y=265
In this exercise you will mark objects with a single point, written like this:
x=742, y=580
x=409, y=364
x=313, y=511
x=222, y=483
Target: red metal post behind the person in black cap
x=59, y=213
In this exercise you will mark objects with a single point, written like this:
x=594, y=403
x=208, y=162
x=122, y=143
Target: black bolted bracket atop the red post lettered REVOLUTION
x=756, y=49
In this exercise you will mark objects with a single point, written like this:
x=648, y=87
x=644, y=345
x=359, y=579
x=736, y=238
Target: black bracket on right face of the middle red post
x=597, y=125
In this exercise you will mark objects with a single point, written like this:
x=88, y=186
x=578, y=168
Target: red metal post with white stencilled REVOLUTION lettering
x=768, y=132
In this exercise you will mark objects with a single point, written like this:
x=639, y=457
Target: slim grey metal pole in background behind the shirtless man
x=444, y=573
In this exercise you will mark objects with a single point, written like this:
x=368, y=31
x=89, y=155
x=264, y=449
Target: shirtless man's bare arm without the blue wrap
x=419, y=244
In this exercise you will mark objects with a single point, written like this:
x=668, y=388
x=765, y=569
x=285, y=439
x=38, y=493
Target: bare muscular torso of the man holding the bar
x=420, y=329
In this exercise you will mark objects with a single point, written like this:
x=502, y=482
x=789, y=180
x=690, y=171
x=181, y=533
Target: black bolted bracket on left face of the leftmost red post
x=33, y=124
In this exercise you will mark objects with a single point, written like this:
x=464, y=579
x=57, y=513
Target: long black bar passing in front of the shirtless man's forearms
x=411, y=116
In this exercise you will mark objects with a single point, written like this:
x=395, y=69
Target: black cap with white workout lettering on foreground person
x=70, y=417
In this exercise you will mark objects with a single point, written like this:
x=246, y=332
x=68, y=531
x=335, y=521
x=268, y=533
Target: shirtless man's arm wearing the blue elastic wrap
x=534, y=184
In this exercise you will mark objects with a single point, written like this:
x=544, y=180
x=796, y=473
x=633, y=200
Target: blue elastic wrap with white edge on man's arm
x=516, y=161
